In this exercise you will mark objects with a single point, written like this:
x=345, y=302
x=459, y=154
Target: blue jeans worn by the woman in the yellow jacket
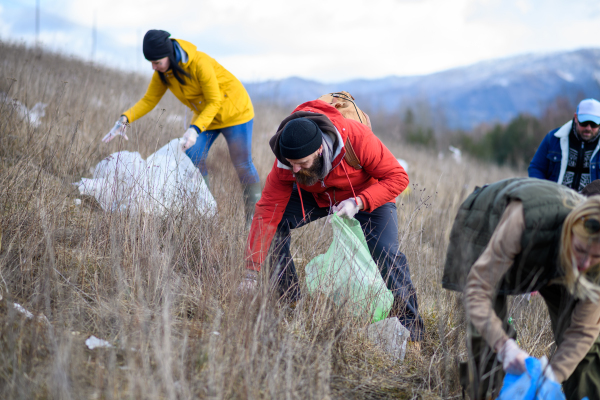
x=239, y=141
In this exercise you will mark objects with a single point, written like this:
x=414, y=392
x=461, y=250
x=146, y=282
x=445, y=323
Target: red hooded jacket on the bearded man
x=380, y=180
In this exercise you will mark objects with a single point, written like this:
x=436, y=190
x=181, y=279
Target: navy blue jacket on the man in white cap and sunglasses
x=550, y=162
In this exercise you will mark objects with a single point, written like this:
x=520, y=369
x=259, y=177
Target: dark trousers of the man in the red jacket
x=381, y=233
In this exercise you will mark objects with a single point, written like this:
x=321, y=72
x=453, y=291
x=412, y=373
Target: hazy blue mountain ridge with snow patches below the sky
x=490, y=91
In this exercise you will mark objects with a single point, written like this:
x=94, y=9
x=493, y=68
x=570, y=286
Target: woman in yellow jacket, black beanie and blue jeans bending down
x=218, y=100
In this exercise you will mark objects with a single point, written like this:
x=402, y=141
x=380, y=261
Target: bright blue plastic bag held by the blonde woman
x=530, y=385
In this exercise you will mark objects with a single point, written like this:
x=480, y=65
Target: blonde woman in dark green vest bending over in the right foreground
x=517, y=236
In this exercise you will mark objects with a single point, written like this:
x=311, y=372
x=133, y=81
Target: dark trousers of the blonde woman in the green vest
x=485, y=372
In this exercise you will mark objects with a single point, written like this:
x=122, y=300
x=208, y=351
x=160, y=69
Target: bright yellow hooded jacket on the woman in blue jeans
x=216, y=97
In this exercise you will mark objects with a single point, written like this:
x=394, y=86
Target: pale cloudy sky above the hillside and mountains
x=324, y=40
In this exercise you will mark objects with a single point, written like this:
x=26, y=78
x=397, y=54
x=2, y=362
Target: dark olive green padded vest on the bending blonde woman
x=545, y=207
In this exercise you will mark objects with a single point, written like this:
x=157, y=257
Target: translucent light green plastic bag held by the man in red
x=347, y=272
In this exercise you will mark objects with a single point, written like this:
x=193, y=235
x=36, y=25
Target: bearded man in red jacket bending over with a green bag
x=310, y=179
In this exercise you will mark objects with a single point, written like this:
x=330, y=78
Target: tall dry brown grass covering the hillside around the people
x=162, y=291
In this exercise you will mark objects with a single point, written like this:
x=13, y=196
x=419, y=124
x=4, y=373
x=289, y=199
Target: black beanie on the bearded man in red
x=300, y=138
